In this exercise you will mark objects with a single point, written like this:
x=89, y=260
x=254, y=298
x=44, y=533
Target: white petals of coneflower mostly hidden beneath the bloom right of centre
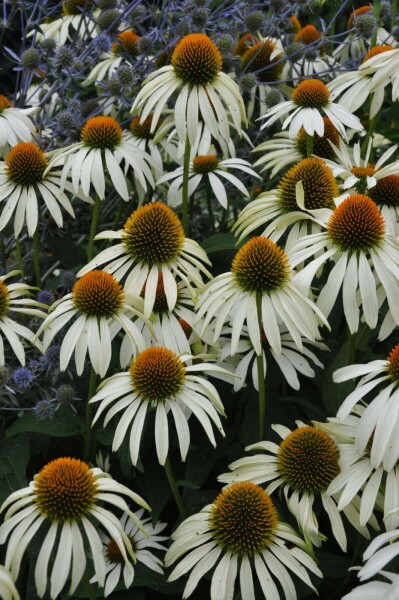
x=290, y=361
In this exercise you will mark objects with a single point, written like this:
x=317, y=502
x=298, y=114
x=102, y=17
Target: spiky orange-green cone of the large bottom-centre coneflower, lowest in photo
x=243, y=519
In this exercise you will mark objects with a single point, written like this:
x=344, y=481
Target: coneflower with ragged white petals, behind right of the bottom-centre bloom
x=303, y=465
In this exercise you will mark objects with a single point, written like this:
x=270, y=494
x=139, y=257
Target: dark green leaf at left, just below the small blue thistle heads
x=64, y=424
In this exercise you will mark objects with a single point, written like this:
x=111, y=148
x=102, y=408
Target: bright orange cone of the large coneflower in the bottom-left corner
x=65, y=489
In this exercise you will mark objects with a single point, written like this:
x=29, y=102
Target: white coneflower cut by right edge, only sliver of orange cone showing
x=379, y=423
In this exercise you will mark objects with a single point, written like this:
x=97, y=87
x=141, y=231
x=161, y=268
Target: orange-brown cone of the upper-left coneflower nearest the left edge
x=25, y=164
